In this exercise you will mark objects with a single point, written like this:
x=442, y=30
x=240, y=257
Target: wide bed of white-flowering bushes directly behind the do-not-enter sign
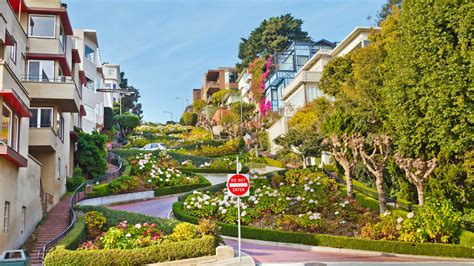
x=314, y=204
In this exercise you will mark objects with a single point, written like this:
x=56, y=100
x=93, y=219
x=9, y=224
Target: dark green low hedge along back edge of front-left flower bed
x=116, y=216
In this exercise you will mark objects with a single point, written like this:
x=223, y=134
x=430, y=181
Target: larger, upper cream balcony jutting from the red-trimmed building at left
x=62, y=91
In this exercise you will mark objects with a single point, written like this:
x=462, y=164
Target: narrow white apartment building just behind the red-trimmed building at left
x=85, y=41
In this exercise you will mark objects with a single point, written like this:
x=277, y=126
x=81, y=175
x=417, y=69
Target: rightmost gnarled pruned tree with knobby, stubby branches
x=417, y=172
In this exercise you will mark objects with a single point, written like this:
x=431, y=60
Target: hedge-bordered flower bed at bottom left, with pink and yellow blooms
x=103, y=236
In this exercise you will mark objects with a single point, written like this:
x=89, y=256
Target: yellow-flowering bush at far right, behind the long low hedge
x=437, y=221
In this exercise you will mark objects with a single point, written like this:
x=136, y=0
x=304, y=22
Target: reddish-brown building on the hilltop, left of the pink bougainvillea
x=215, y=80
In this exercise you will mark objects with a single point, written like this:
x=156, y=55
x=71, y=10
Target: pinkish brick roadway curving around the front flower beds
x=267, y=254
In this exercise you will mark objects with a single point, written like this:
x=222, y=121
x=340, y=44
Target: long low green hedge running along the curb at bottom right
x=429, y=249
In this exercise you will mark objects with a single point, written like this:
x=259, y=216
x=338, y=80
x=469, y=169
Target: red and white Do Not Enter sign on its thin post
x=238, y=185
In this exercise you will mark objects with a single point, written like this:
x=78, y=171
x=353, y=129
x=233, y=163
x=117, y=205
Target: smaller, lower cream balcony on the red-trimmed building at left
x=43, y=140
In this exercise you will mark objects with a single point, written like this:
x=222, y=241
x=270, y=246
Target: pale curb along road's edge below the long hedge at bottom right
x=346, y=251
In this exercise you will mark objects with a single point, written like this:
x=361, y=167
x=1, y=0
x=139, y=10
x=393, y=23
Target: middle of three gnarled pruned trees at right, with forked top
x=376, y=161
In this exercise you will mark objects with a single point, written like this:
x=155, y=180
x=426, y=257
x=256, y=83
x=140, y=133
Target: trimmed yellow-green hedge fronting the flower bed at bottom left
x=168, y=251
